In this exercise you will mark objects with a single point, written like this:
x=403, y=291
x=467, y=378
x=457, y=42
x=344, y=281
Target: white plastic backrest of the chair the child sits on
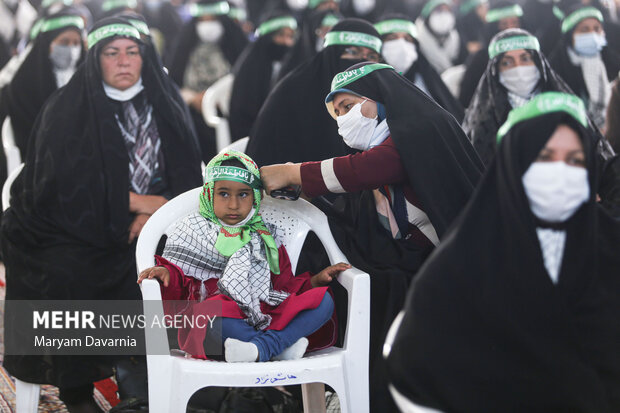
x=293, y=220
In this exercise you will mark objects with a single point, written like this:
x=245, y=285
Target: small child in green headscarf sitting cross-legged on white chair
x=227, y=253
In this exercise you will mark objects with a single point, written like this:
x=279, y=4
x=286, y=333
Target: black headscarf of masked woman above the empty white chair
x=232, y=43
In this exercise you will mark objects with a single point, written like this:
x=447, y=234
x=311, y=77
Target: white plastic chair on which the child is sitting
x=174, y=378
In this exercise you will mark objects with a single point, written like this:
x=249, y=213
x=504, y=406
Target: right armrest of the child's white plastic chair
x=357, y=336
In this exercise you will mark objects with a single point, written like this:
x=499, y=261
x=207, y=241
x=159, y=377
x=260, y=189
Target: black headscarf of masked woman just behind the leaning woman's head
x=435, y=86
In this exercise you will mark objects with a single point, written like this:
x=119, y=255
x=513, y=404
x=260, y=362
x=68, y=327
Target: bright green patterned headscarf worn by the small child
x=231, y=239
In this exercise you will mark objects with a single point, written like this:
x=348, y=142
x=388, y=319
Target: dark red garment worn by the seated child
x=303, y=297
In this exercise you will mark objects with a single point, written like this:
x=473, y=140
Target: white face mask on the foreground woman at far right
x=555, y=190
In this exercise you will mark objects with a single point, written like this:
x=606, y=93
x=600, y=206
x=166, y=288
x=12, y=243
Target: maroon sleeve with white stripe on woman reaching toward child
x=370, y=169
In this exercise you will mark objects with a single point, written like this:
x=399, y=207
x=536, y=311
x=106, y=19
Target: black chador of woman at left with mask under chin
x=65, y=235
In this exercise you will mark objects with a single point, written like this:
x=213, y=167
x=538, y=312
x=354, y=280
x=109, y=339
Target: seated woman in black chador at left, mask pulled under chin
x=107, y=150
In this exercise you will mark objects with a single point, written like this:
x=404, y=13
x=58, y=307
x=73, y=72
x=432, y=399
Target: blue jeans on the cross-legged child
x=270, y=343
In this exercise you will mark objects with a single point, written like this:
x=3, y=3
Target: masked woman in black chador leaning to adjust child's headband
x=415, y=173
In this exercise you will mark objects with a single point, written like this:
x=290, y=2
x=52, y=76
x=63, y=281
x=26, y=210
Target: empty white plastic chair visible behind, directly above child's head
x=217, y=96
